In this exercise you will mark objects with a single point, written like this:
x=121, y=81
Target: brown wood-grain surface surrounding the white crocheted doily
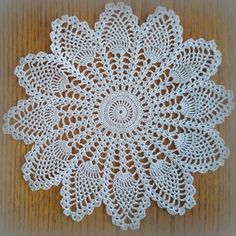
x=25, y=28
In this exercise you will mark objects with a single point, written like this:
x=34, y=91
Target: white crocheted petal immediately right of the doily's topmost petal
x=161, y=35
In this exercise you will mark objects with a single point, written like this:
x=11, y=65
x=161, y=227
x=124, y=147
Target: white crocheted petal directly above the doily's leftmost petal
x=43, y=73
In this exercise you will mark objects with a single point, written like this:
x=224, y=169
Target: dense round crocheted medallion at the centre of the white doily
x=120, y=112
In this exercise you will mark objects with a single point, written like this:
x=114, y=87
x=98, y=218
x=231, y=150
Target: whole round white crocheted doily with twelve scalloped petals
x=122, y=114
